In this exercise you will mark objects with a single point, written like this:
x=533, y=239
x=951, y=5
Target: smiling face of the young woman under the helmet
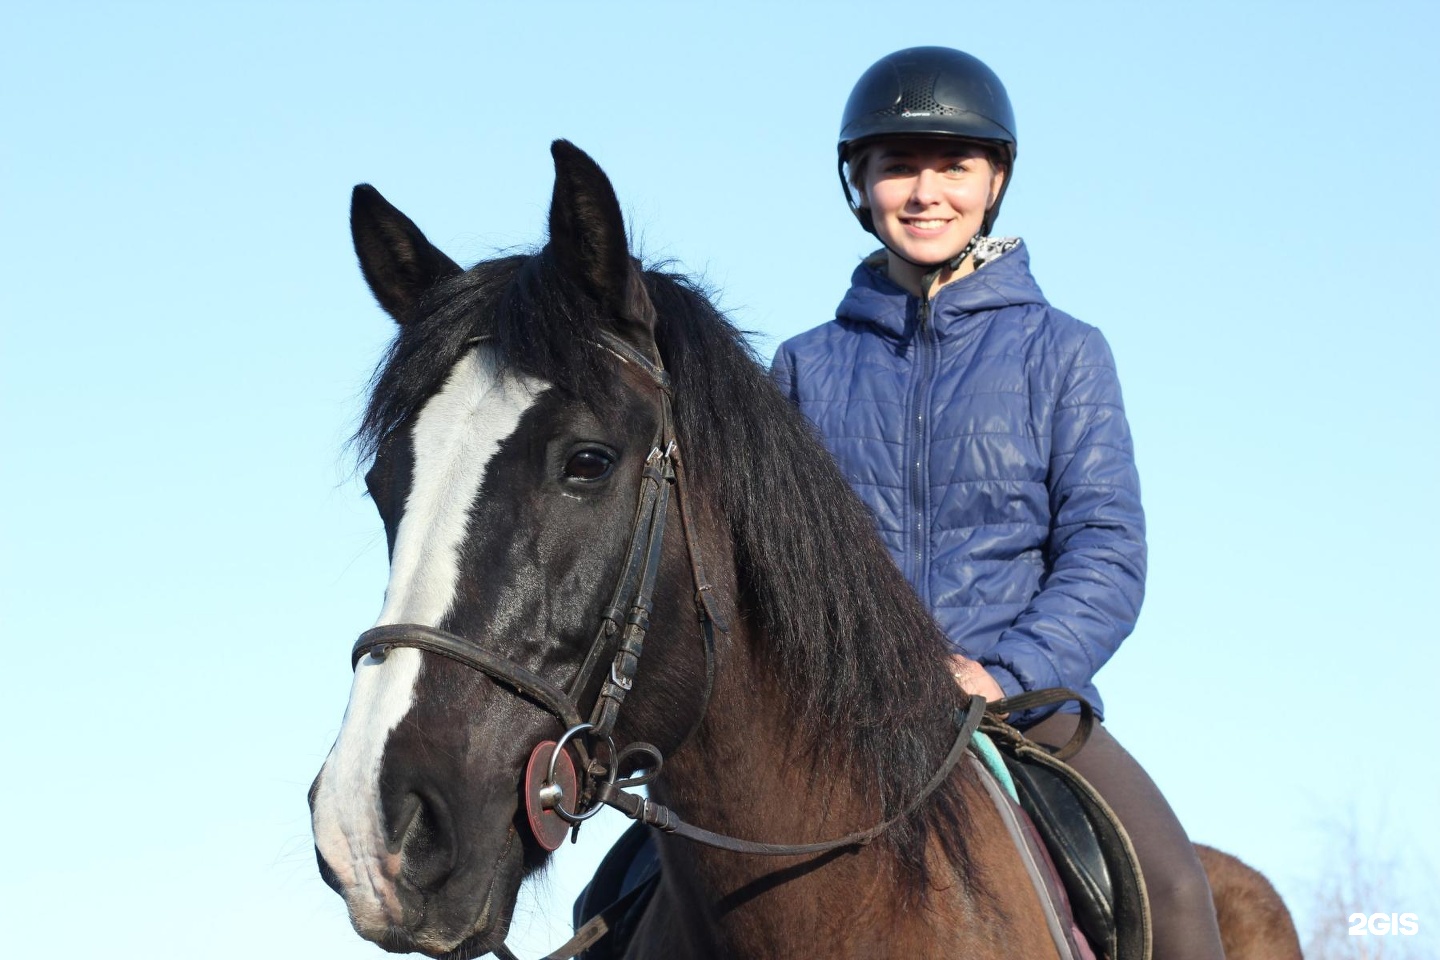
x=928, y=198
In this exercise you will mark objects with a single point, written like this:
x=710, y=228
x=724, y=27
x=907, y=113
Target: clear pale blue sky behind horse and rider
x=1241, y=196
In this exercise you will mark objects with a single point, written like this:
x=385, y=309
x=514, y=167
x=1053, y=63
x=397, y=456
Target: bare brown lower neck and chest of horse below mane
x=750, y=775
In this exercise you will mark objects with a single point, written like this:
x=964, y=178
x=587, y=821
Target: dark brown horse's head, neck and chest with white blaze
x=793, y=687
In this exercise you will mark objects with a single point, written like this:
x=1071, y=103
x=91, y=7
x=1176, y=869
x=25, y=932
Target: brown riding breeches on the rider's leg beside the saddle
x=1182, y=910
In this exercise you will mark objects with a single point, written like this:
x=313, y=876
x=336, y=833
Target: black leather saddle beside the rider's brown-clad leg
x=1088, y=848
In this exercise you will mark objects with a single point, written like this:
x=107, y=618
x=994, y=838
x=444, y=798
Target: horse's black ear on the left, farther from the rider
x=397, y=260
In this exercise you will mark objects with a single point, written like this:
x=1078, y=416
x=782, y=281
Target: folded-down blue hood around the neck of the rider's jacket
x=879, y=302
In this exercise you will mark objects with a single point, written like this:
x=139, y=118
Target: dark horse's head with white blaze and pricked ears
x=512, y=425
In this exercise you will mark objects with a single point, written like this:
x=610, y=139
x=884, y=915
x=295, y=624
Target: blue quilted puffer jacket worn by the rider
x=991, y=444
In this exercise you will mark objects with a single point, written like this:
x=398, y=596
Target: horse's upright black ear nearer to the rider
x=588, y=243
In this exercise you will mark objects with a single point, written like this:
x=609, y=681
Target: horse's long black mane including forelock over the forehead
x=859, y=654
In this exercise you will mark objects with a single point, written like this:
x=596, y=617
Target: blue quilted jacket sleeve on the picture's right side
x=1095, y=582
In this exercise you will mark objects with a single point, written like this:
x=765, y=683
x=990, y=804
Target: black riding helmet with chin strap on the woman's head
x=928, y=91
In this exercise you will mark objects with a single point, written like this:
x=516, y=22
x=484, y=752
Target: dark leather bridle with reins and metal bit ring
x=627, y=617
